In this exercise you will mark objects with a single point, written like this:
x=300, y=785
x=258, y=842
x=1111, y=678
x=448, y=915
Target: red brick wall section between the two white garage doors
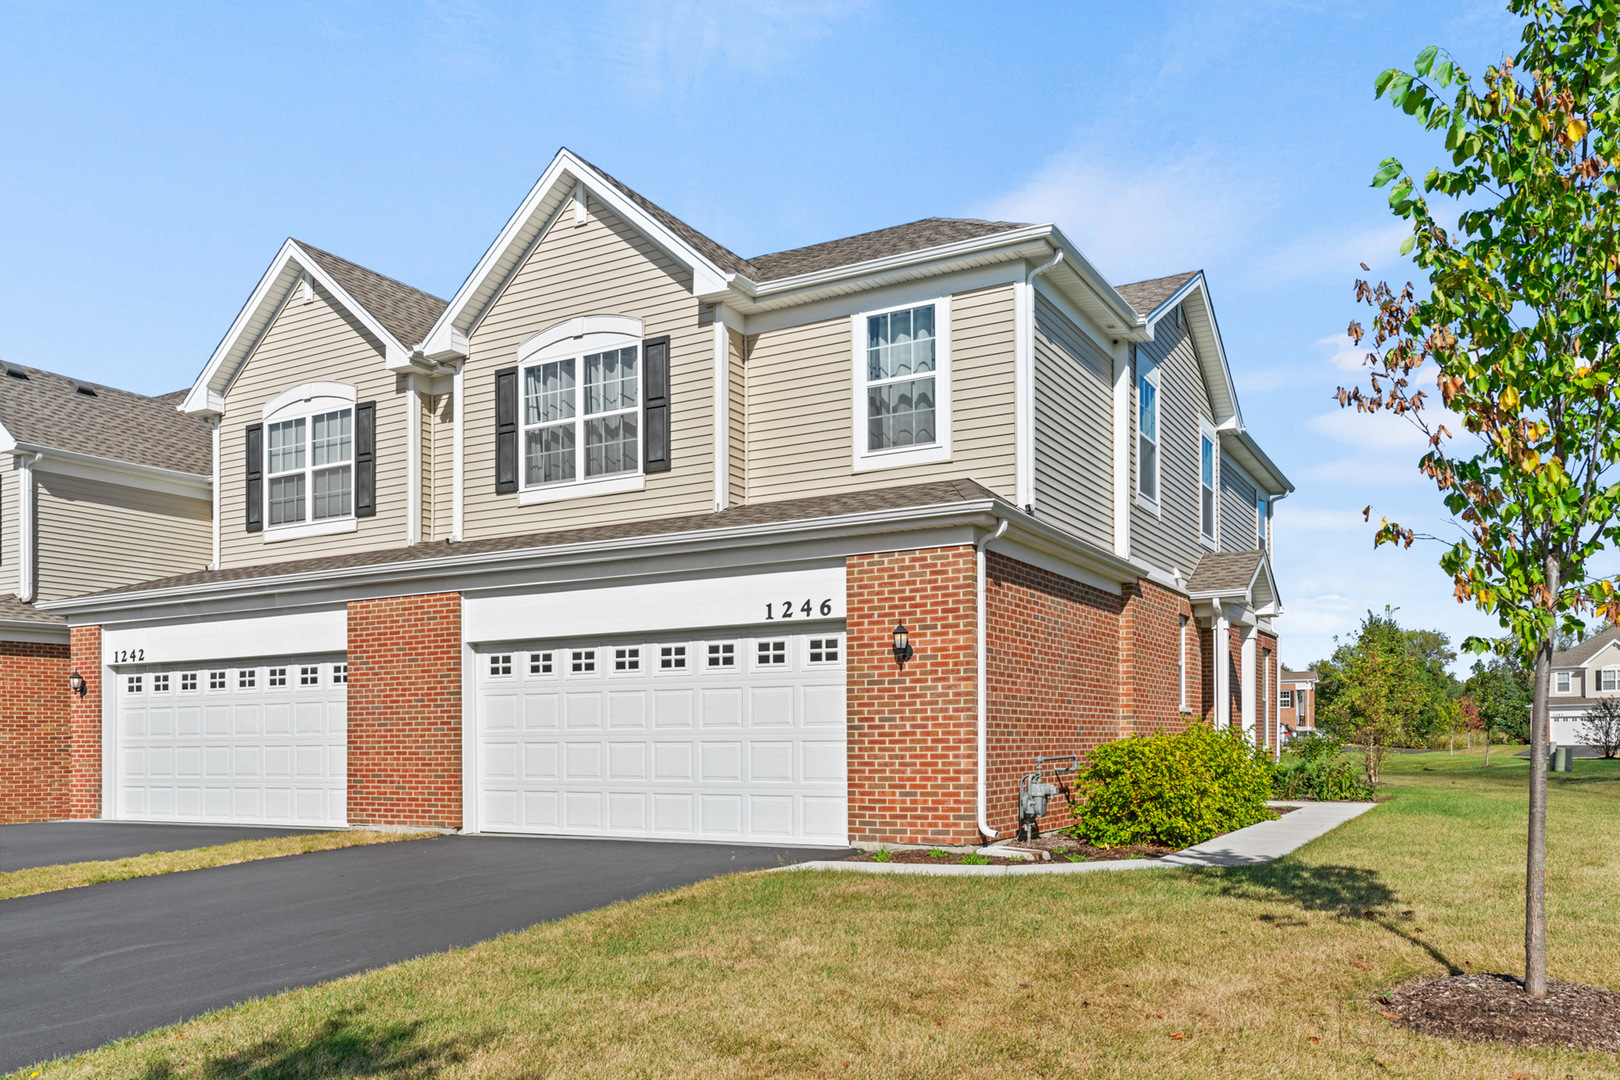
x=406, y=712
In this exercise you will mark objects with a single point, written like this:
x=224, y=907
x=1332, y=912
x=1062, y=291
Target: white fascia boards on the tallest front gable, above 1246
x=553, y=189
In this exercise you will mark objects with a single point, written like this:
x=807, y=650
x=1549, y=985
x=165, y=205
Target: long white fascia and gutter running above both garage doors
x=880, y=530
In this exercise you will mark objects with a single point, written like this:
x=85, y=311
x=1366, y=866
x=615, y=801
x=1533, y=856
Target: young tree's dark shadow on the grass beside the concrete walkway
x=1347, y=893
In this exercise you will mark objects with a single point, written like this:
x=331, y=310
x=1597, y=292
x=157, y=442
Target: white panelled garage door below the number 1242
x=263, y=744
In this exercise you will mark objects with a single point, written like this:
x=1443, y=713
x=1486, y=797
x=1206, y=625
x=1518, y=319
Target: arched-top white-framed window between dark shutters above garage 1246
x=581, y=410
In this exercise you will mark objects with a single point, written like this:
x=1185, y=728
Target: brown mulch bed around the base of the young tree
x=1494, y=1010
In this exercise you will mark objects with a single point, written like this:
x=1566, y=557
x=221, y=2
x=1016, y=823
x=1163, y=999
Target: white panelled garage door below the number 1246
x=735, y=739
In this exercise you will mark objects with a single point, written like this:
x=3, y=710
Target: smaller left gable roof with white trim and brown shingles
x=391, y=312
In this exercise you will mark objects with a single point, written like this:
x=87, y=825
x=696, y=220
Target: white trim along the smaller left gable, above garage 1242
x=288, y=270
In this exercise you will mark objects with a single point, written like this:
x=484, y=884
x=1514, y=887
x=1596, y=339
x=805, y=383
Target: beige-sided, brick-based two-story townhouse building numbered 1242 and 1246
x=641, y=538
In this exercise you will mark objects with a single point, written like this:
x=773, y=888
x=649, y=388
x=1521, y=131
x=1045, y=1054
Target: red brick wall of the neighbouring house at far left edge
x=35, y=731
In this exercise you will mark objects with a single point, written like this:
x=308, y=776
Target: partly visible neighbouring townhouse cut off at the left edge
x=103, y=488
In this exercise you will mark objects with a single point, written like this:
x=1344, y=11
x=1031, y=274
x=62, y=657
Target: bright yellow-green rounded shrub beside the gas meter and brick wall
x=1174, y=789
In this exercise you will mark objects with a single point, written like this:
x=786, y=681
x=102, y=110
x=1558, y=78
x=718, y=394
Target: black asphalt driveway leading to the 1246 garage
x=90, y=966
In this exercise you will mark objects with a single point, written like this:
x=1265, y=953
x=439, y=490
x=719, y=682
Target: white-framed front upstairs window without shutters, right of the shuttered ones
x=903, y=386
